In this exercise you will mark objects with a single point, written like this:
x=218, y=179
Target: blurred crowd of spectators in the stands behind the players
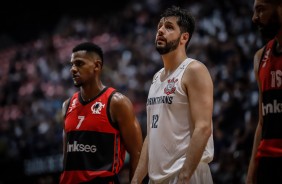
x=35, y=80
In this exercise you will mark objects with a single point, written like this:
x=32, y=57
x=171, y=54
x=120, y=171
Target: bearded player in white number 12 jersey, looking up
x=179, y=143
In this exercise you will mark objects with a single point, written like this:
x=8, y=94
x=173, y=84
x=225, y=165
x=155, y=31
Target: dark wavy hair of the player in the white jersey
x=186, y=20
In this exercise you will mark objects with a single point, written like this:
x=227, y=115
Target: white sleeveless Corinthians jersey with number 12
x=168, y=126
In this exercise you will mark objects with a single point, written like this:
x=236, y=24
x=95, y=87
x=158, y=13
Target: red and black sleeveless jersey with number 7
x=93, y=142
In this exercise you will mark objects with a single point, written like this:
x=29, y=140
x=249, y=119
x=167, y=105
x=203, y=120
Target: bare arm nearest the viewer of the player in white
x=199, y=88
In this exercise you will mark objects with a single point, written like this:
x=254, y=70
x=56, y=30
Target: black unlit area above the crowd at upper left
x=23, y=20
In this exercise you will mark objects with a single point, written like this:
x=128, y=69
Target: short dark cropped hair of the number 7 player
x=90, y=47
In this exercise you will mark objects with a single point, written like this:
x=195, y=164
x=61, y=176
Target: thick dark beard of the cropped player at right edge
x=270, y=29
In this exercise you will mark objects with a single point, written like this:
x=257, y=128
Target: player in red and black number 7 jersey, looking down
x=99, y=124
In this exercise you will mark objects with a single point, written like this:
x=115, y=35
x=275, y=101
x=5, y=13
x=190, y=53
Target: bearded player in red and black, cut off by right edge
x=266, y=160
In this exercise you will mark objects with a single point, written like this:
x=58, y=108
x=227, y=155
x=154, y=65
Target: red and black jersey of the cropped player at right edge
x=270, y=77
